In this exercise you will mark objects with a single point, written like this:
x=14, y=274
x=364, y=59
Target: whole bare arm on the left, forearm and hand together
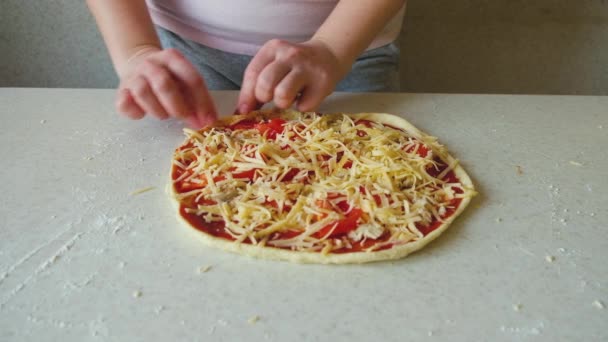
x=153, y=81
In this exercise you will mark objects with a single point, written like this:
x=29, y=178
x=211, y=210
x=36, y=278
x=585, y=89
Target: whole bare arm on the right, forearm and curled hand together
x=282, y=70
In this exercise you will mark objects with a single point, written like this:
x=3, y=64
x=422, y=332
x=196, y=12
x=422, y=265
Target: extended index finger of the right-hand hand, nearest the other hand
x=247, y=99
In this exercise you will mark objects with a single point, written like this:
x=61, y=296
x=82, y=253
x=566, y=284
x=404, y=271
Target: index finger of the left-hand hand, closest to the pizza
x=198, y=99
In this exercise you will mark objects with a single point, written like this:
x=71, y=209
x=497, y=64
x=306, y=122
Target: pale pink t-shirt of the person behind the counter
x=243, y=26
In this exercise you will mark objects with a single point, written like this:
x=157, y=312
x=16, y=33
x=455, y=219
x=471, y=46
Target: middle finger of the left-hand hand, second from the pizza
x=166, y=89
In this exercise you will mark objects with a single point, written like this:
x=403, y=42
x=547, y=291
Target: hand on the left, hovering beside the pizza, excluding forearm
x=164, y=84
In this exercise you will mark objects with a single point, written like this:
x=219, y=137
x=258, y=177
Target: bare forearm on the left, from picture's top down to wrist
x=126, y=28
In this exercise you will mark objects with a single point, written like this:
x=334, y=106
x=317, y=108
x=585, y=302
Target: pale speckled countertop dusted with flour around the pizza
x=83, y=258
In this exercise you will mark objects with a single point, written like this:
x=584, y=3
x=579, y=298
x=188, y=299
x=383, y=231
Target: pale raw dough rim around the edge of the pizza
x=272, y=253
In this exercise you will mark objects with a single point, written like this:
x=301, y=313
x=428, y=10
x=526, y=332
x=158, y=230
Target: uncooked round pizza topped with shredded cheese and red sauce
x=319, y=188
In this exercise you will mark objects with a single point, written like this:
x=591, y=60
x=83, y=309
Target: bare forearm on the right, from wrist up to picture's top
x=353, y=24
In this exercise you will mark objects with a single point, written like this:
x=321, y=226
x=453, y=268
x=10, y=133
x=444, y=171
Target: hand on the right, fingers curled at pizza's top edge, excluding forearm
x=286, y=72
